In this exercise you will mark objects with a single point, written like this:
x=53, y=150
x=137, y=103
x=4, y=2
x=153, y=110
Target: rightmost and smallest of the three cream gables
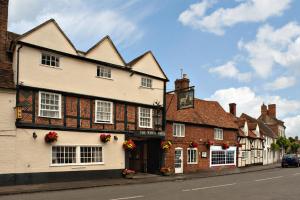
x=147, y=64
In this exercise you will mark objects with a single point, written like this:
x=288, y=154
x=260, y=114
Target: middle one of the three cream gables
x=106, y=51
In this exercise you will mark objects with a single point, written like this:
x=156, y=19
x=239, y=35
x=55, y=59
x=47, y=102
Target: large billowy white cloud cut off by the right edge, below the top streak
x=274, y=47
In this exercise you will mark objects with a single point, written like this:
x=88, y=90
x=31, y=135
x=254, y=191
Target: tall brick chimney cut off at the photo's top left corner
x=3, y=29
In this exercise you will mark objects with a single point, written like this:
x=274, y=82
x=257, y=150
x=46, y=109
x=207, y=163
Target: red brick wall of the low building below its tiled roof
x=199, y=134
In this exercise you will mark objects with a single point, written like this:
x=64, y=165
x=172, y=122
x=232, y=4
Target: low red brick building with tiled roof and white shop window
x=203, y=136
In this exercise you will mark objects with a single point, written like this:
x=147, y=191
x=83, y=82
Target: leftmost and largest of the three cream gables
x=49, y=35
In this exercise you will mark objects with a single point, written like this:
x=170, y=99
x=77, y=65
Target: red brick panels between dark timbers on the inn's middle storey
x=86, y=106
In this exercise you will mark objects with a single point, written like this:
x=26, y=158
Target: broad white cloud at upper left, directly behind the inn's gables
x=83, y=21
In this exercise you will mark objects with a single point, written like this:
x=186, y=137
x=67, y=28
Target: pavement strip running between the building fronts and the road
x=137, y=179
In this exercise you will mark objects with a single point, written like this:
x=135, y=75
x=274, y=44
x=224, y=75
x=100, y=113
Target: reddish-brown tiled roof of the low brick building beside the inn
x=204, y=113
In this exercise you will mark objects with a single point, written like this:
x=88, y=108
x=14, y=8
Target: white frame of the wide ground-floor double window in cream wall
x=78, y=155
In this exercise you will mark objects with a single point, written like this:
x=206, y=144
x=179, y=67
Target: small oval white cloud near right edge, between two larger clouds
x=281, y=83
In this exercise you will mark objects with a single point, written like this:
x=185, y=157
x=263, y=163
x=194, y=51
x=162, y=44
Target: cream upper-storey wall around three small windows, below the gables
x=77, y=76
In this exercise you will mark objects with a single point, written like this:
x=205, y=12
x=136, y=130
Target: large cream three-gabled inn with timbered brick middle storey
x=79, y=96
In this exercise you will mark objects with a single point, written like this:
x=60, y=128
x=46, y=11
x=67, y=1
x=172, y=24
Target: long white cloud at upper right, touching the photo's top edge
x=245, y=11
